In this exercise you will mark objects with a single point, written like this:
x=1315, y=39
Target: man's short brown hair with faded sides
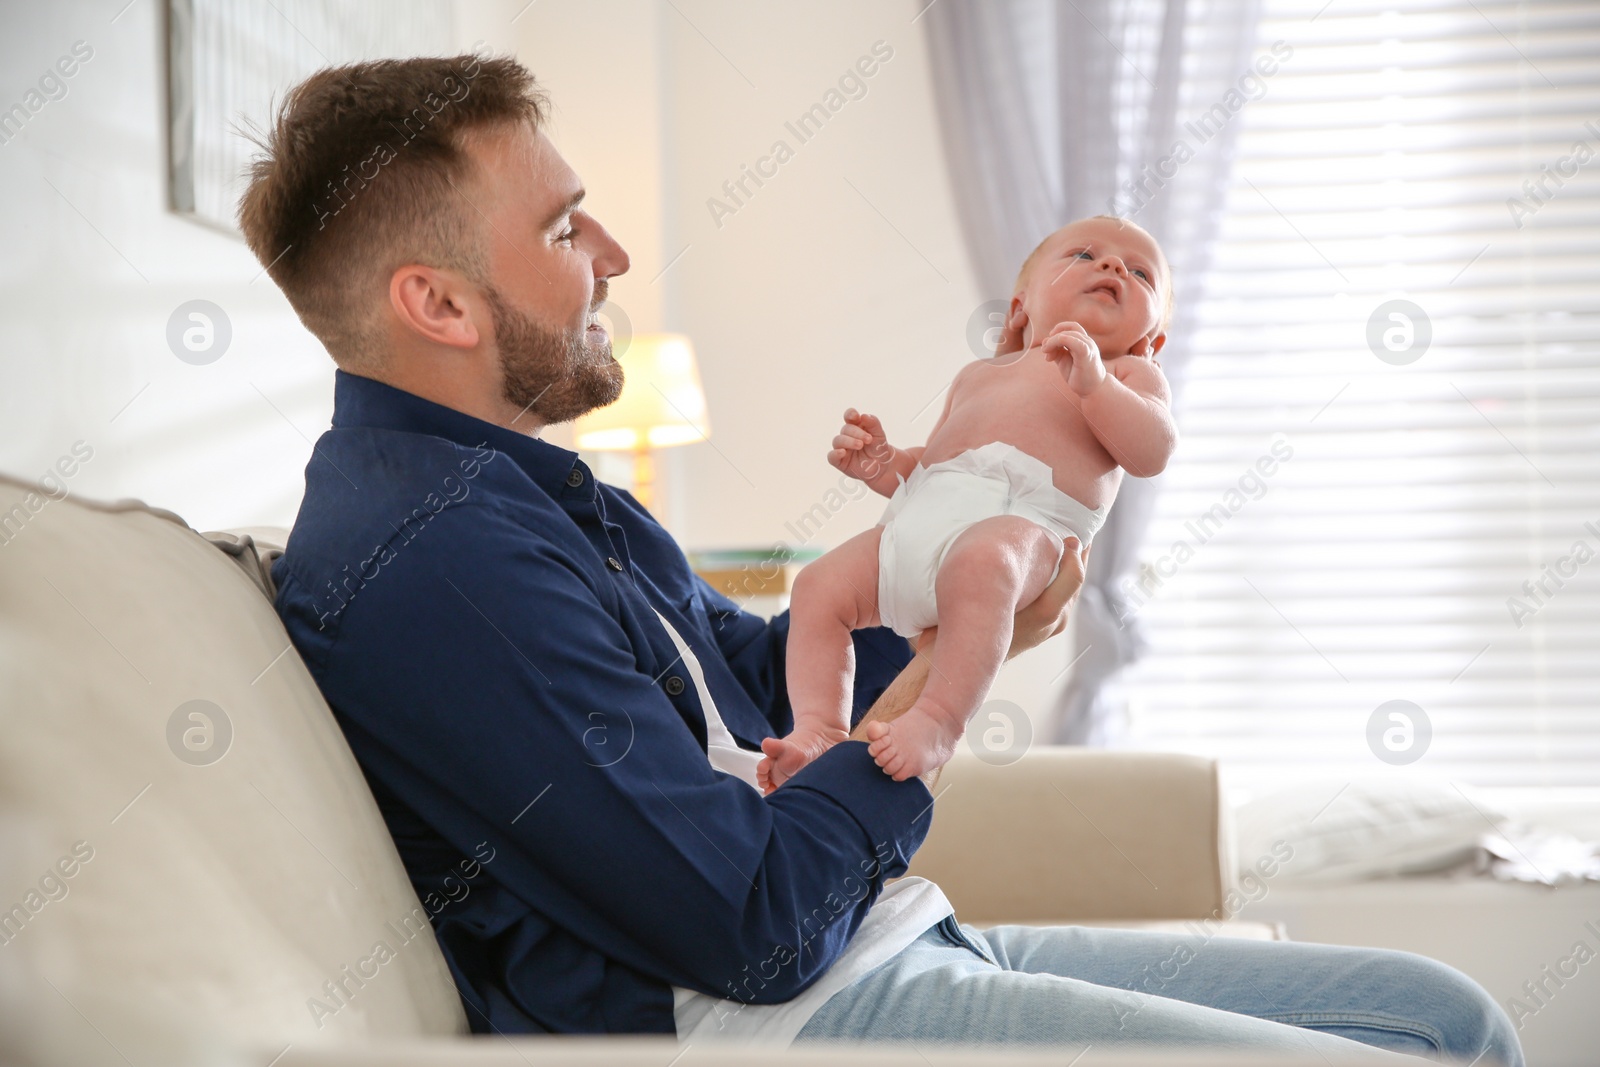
x=361, y=175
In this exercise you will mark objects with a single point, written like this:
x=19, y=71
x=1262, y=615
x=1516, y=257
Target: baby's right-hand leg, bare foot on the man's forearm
x=993, y=569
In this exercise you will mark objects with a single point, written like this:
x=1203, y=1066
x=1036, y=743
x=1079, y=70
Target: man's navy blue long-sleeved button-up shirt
x=481, y=615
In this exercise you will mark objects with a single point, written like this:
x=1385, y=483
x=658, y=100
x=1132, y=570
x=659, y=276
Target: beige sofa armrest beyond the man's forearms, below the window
x=1079, y=834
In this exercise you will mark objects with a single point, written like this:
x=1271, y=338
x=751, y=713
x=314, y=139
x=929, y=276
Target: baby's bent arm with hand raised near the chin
x=1127, y=402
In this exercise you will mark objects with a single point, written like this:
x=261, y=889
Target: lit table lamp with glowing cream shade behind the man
x=662, y=406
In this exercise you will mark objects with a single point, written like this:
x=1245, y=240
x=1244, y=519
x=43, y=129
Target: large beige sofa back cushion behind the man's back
x=159, y=879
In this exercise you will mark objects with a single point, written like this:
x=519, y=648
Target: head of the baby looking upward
x=1102, y=273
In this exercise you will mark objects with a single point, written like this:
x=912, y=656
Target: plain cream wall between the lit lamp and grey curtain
x=841, y=282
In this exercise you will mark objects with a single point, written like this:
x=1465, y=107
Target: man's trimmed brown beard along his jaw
x=550, y=374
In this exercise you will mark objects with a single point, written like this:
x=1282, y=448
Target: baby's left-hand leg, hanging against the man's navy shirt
x=833, y=597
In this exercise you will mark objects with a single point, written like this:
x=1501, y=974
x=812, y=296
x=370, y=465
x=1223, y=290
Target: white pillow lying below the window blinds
x=1350, y=831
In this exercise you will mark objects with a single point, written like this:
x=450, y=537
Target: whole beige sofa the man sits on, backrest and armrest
x=193, y=868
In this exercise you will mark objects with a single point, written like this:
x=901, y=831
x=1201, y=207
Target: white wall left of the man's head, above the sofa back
x=92, y=268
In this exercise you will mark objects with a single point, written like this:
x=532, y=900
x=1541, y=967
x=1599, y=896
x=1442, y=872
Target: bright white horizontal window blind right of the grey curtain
x=1382, y=502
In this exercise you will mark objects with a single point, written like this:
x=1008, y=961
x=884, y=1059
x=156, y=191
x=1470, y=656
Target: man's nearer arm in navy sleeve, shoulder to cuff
x=513, y=708
